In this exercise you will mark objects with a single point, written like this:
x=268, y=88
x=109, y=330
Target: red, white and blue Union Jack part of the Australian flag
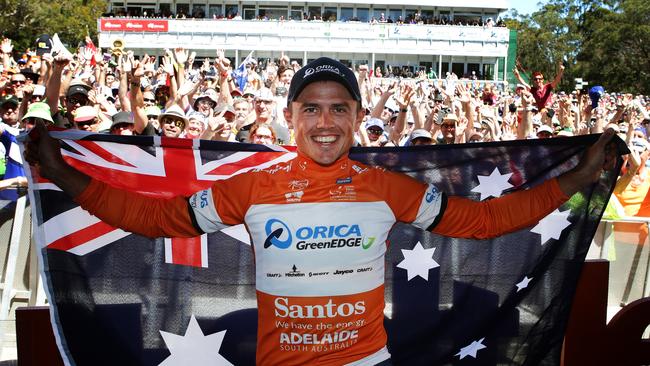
x=157, y=166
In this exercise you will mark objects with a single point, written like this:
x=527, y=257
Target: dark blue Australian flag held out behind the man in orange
x=121, y=299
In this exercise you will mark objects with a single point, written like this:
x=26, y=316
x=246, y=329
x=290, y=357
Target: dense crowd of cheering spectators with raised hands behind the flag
x=210, y=99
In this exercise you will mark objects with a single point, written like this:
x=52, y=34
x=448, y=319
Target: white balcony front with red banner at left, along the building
x=294, y=36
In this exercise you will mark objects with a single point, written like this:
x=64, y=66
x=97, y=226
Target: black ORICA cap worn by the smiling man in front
x=322, y=69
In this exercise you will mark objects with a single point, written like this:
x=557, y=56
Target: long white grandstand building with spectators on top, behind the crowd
x=341, y=30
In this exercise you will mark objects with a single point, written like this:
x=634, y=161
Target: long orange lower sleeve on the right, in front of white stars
x=465, y=218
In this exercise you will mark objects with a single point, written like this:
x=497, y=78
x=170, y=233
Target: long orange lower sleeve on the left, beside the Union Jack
x=136, y=213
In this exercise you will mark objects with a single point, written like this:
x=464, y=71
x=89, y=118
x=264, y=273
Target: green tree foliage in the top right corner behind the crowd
x=606, y=42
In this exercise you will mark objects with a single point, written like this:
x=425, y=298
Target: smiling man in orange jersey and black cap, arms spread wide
x=321, y=211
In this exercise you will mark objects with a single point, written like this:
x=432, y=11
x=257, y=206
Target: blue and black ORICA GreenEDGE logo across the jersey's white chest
x=279, y=235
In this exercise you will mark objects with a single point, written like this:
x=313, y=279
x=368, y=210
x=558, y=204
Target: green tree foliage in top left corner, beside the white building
x=24, y=20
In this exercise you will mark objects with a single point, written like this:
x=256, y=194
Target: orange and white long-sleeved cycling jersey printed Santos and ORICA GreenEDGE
x=319, y=239
